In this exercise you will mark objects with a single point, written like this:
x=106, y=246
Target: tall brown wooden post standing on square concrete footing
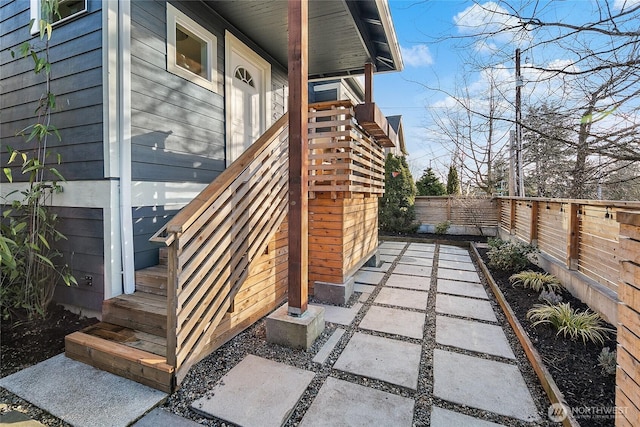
x=298, y=157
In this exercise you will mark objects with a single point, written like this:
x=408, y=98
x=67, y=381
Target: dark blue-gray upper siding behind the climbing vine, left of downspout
x=76, y=57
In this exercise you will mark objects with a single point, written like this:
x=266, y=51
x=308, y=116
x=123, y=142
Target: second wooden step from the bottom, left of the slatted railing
x=140, y=311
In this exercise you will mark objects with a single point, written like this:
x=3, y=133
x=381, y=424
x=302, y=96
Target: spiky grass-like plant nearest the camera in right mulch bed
x=585, y=325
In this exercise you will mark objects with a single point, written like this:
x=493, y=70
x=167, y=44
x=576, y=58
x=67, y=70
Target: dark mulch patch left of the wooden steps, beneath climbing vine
x=26, y=342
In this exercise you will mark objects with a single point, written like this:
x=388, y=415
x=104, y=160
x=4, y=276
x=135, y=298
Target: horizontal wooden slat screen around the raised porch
x=343, y=158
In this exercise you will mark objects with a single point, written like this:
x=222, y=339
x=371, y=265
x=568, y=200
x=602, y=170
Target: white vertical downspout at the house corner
x=124, y=133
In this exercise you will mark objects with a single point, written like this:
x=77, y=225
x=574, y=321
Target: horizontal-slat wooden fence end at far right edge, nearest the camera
x=628, y=354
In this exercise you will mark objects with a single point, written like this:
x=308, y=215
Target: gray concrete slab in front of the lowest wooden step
x=82, y=395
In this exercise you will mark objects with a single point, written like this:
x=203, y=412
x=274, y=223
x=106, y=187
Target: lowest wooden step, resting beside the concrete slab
x=112, y=349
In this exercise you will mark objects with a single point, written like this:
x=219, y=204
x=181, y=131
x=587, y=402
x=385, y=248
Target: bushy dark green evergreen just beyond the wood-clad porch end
x=397, y=211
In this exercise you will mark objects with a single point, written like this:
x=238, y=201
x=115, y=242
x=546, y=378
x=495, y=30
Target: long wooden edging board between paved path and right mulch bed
x=546, y=380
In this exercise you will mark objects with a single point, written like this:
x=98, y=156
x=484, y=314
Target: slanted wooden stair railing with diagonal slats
x=213, y=239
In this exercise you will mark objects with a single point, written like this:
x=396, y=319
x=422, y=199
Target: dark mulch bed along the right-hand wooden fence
x=573, y=365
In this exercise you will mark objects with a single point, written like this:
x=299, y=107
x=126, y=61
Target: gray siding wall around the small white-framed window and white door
x=177, y=126
